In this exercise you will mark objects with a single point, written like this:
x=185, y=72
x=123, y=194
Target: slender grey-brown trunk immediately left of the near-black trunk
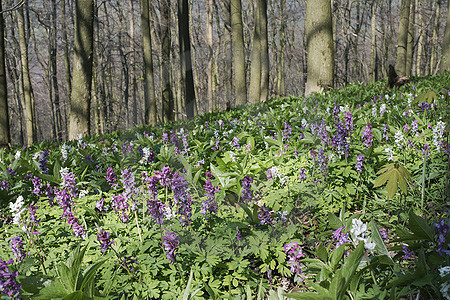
x=166, y=88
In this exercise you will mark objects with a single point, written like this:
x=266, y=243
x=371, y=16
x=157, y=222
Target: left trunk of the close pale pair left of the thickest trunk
x=255, y=66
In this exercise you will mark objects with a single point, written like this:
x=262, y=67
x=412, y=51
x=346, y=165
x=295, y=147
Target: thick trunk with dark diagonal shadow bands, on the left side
x=80, y=102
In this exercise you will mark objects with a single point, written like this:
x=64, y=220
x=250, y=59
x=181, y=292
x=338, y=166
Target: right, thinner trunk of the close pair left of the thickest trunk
x=264, y=44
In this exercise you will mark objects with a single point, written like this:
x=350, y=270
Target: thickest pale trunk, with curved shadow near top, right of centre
x=319, y=42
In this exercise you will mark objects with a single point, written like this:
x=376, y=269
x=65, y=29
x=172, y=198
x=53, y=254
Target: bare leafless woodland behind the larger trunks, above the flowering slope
x=39, y=39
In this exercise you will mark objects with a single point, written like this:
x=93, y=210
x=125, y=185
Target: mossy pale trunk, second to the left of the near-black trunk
x=150, y=116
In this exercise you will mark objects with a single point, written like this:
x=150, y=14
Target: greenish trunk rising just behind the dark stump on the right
x=402, y=42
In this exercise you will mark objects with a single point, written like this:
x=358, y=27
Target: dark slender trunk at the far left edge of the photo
x=5, y=137
